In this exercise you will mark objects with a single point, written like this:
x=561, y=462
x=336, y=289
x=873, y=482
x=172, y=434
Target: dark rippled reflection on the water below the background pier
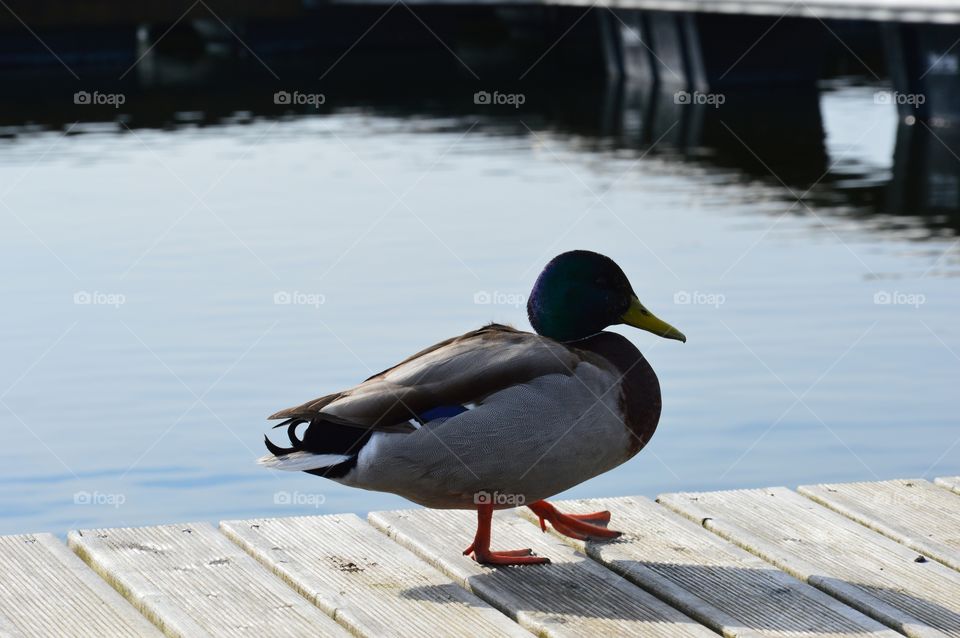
x=776, y=136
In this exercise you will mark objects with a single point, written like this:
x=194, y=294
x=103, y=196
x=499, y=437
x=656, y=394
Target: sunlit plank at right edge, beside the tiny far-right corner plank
x=914, y=512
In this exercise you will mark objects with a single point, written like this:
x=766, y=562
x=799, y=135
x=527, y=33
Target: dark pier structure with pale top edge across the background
x=698, y=46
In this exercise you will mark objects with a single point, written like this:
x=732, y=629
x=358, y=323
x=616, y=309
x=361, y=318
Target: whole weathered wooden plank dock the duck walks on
x=878, y=559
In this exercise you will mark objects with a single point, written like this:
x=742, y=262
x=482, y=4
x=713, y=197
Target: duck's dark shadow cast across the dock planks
x=760, y=599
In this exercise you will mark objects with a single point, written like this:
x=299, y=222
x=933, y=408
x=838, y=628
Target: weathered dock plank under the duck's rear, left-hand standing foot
x=572, y=596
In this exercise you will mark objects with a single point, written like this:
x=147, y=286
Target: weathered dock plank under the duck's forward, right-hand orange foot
x=715, y=582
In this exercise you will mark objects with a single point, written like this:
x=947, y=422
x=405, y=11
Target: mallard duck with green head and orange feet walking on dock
x=497, y=417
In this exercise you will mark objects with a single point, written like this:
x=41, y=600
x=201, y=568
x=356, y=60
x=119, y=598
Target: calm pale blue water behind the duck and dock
x=143, y=343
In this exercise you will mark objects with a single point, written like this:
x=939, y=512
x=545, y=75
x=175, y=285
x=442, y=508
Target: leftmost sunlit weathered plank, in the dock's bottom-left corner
x=47, y=591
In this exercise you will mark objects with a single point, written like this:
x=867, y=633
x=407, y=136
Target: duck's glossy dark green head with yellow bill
x=580, y=293
